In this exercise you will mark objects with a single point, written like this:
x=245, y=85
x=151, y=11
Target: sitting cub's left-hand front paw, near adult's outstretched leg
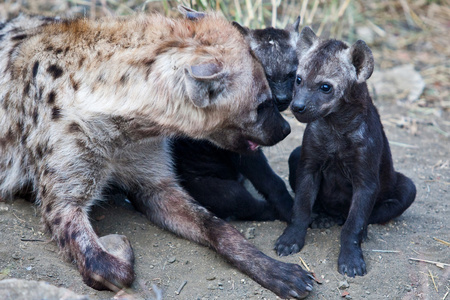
x=291, y=241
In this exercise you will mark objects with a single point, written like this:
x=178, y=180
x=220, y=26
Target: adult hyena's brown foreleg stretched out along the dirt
x=169, y=206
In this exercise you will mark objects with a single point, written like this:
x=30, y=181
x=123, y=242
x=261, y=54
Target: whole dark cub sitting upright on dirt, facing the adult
x=344, y=167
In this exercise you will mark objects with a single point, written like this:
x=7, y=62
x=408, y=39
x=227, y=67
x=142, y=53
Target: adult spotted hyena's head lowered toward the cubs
x=235, y=86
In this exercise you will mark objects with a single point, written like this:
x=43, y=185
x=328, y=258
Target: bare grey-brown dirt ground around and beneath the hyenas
x=420, y=144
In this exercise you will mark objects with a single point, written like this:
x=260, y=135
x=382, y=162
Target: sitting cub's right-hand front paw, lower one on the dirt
x=351, y=262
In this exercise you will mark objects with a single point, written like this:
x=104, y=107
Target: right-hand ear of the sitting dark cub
x=362, y=58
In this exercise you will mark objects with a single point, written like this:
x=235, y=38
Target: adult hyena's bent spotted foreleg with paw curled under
x=105, y=263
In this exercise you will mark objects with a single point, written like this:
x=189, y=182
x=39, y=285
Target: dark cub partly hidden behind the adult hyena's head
x=213, y=176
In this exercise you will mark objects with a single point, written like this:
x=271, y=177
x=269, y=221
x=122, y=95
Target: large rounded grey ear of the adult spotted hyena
x=204, y=83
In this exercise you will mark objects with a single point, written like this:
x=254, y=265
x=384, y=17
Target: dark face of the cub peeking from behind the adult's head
x=276, y=50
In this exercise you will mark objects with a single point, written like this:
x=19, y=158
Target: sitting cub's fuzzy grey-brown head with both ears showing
x=328, y=70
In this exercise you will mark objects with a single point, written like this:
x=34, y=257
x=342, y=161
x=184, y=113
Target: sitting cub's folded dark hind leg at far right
x=403, y=197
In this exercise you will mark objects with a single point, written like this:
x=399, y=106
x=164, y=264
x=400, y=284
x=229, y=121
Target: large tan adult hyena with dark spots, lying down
x=87, y=103
